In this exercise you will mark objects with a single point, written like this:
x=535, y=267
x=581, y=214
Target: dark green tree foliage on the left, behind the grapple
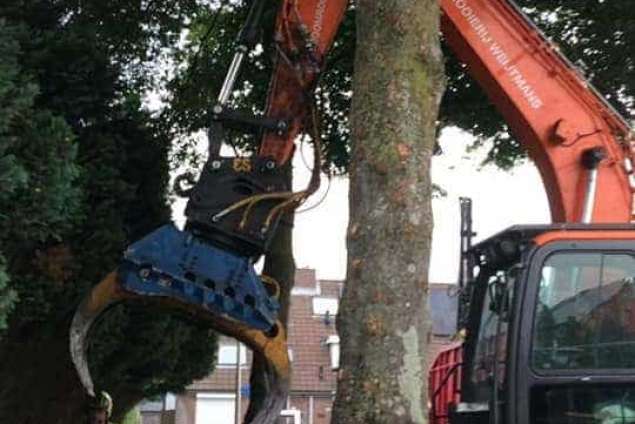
x=84, y=172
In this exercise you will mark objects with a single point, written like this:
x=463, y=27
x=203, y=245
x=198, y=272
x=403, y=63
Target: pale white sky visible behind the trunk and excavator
x=500, y=199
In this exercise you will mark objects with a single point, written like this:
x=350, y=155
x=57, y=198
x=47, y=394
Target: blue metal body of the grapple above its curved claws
x=177, y=264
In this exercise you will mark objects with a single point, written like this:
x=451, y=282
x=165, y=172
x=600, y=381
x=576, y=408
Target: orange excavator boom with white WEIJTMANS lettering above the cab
x=562, y=122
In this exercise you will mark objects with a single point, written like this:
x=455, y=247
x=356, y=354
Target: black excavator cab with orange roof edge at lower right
x=549, y=318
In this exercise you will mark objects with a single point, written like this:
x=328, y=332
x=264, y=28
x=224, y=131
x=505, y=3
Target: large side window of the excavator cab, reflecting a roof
x=585, y=312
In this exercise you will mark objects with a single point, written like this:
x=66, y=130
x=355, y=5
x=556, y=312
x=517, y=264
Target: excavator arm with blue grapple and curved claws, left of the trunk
x=234, y=208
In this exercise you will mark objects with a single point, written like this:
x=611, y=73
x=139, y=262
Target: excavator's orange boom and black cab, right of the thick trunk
x=545, y=312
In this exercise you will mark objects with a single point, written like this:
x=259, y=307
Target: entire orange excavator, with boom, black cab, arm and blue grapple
x=546, y=313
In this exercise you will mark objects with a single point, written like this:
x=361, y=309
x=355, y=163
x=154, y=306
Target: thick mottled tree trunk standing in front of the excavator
x=383, y=321
